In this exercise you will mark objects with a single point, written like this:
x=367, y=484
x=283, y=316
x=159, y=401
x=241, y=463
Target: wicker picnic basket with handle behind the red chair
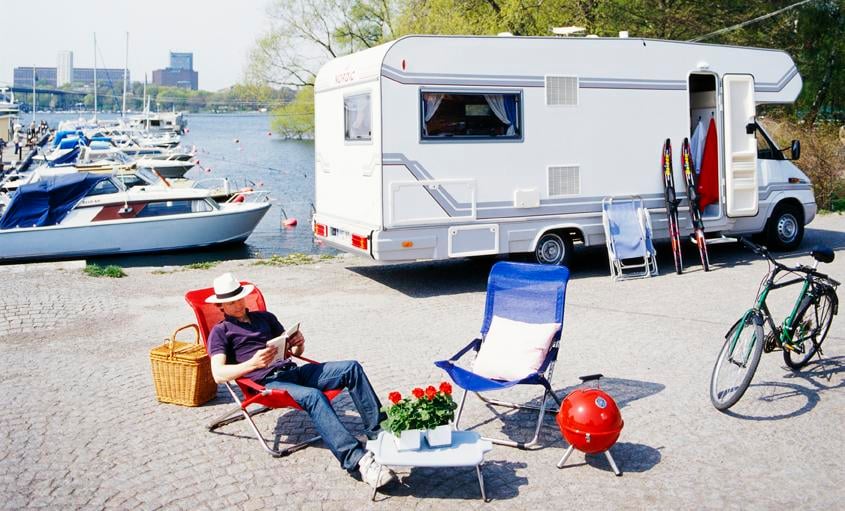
x=182, y=371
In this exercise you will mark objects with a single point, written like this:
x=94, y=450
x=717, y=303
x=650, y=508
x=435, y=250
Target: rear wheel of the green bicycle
x=812, y=324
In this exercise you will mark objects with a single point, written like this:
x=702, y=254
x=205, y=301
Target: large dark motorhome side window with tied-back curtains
x=470, y=115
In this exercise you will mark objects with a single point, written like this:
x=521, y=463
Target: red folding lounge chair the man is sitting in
x=208, y=315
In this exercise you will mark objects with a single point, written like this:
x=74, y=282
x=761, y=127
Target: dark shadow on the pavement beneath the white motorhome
x=456, y=276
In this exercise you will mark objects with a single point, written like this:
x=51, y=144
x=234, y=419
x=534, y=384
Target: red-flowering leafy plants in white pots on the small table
x=425, y=409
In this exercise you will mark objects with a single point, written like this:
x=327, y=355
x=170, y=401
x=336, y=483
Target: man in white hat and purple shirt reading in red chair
x=238, y=349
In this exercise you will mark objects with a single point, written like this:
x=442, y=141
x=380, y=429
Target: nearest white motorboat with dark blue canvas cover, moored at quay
x=89, y=215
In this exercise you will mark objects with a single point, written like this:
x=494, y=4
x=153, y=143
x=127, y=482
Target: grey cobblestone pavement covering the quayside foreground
x=82, y=428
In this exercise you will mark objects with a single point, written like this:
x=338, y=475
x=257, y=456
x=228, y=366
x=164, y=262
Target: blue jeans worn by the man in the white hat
x=305, y=385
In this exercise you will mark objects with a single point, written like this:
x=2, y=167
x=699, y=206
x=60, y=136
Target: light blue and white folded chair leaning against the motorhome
x=627, y=231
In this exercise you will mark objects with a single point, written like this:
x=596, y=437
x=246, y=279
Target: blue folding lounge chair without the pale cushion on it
x=529, y=293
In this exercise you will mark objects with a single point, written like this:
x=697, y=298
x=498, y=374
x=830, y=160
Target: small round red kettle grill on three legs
x=590, y=421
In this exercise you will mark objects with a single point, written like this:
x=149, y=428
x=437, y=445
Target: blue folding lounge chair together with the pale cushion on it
x=524, y=304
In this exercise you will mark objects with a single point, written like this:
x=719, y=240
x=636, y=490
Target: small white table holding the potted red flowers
x=467, y=450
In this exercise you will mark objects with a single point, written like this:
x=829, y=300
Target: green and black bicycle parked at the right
x=800, y=336
